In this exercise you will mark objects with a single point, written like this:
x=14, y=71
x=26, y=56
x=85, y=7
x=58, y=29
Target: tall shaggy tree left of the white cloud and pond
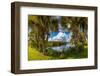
x=40, y=26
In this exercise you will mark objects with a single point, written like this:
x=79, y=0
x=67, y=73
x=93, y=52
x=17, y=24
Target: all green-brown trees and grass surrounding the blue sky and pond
x=40, y=27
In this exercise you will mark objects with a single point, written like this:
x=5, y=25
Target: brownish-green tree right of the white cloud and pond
x=78, y=37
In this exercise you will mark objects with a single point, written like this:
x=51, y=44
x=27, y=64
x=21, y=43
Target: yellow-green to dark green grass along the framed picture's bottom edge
x=34, y=54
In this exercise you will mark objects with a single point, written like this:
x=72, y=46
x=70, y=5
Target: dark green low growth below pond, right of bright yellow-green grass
x=70, y=53
